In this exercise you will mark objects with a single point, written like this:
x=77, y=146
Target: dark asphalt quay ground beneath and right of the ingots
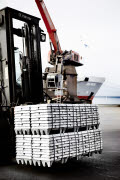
x=97, y=167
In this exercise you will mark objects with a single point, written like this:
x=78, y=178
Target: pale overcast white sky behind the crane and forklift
x=89, y=27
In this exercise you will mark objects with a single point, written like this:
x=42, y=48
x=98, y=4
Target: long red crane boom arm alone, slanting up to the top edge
x=49, y=25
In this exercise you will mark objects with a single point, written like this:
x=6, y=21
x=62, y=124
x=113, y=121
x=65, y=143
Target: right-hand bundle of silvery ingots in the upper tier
x=45, y=118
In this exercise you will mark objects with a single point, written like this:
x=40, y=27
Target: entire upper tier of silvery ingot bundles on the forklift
x=43, y=118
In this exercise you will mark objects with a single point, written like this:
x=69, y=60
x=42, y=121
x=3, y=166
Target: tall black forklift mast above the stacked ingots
x=30, y=90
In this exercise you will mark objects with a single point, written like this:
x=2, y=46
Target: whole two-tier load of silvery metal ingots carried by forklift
x=58, y=132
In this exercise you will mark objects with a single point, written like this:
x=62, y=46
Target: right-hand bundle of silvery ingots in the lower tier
x=59, y=147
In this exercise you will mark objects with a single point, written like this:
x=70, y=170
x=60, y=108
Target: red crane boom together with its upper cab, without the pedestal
x=68, y=56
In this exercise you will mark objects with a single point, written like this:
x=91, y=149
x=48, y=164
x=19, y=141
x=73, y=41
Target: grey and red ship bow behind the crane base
x=87, y=87
